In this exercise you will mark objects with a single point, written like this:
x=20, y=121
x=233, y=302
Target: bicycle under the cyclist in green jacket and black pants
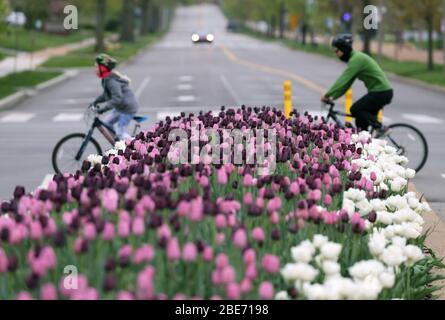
x=398, y=135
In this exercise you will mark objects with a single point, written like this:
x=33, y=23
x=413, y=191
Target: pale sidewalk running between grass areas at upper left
x=30, y=60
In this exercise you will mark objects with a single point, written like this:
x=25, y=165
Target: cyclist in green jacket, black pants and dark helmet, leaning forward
x=362, y=67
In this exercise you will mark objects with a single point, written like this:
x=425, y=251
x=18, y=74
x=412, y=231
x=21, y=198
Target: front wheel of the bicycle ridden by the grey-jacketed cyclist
x=64, y=154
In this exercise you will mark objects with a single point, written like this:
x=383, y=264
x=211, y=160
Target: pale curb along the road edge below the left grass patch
x=22, y=95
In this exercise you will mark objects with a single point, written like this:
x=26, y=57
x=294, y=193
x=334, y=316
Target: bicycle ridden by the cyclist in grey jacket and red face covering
x=70, y=152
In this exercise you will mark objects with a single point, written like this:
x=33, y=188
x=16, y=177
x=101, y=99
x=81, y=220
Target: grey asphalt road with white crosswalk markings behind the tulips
x=175, y=75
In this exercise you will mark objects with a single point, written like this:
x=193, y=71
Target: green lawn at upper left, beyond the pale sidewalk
x=27, y=40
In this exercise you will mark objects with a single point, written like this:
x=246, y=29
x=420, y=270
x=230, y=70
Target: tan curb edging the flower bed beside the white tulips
x=434, y=241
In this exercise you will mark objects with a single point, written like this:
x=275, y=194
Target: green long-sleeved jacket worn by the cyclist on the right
x=364, y=68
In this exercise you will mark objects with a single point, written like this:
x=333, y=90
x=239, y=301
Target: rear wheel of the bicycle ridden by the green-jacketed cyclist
x=409, y=142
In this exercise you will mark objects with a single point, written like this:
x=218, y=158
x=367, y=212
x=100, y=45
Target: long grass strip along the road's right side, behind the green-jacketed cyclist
x=409, y=69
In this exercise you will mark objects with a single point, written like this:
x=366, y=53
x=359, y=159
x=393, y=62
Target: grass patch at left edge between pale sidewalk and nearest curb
x=12, y=83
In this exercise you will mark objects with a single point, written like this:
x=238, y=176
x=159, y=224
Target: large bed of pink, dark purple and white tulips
x=333, y=221
